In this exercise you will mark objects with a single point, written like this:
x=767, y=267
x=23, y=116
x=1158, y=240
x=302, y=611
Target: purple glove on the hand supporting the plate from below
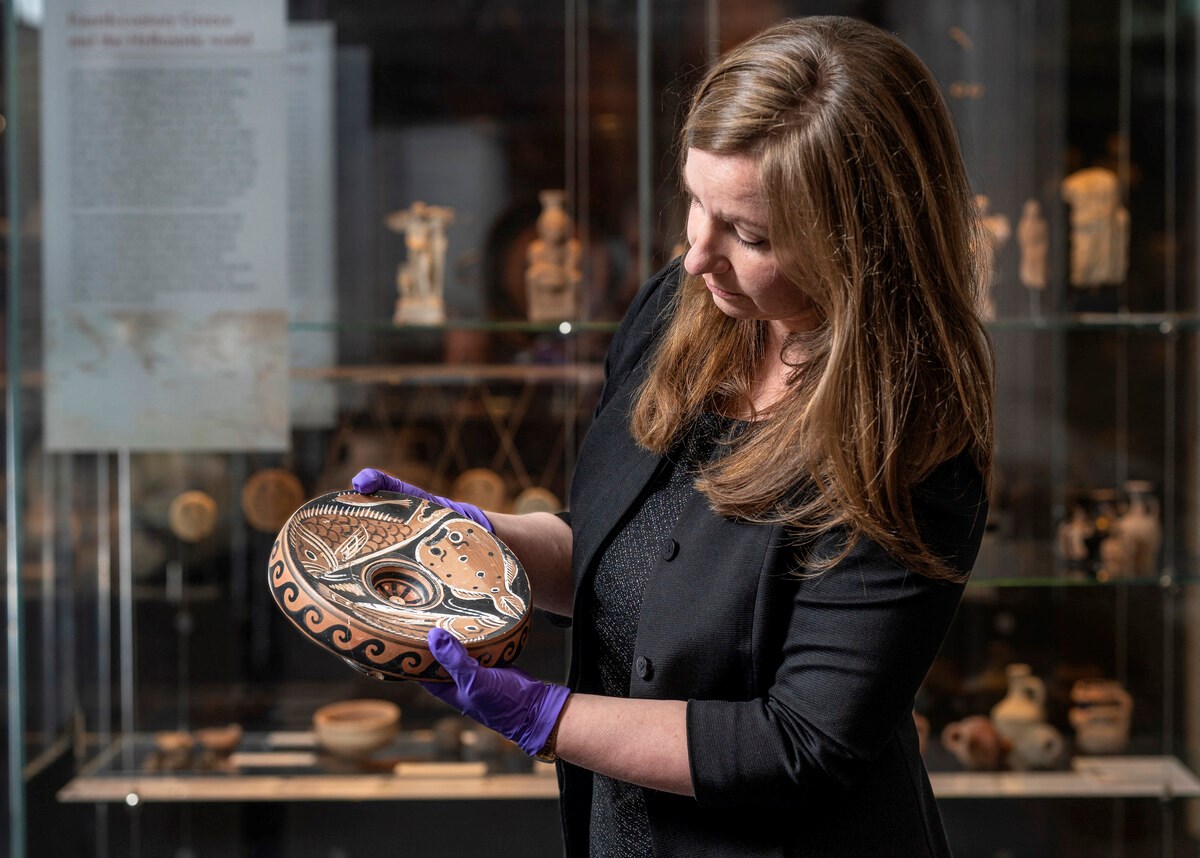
x=505, y=699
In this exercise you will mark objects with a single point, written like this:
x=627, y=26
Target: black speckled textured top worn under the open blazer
x=620, y=825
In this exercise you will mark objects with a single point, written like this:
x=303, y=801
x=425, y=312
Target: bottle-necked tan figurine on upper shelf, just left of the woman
x=553, y=272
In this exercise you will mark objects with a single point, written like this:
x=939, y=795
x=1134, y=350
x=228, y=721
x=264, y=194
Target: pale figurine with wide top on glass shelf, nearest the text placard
x=421, y=279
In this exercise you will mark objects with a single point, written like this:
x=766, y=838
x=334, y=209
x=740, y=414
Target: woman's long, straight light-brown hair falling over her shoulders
x=872, y=214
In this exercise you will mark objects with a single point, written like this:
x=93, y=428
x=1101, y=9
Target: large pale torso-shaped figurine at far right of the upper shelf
x=1100, y=229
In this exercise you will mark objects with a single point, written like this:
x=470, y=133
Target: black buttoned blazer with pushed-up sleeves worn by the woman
x=800, y=689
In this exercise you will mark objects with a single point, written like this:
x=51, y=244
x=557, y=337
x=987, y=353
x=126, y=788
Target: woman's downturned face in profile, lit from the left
x=728, y=233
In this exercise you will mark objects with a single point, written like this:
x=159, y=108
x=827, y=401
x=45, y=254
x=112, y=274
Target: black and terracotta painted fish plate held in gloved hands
x=368, y=577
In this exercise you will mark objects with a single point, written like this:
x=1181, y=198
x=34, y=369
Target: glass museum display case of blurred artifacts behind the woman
x=254, y=250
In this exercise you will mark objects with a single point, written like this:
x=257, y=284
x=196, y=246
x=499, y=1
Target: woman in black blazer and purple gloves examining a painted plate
x=784, y=489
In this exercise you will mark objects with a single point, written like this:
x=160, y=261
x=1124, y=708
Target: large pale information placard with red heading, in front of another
x=165, y=225
